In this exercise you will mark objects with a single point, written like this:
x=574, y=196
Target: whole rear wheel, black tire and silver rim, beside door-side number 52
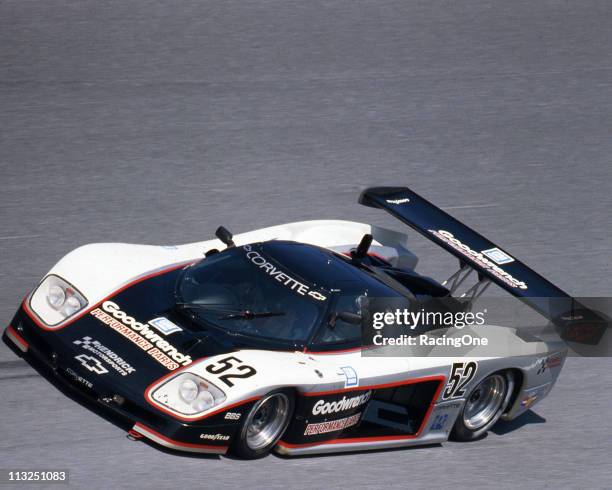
x=483, y=407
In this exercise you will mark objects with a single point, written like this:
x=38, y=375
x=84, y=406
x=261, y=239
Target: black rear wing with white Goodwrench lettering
x=474, y=251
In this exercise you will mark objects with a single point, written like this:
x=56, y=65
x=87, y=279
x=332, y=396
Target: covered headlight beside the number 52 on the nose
x=187, y=394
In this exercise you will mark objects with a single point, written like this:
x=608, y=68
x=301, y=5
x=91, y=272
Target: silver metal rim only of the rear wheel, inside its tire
x=484, y=402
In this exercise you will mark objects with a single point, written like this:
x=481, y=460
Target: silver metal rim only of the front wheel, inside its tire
x=267, y=421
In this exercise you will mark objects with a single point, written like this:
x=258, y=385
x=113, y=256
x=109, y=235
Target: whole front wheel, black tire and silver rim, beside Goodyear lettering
x=264, y=425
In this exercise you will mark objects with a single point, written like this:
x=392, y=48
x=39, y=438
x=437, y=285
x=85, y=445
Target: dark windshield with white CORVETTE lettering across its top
x=242, y=290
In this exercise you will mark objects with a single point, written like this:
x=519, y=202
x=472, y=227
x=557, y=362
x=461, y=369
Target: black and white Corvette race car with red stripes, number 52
x=255, y=342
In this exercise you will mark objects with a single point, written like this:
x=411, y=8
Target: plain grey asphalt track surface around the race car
x=154, y=122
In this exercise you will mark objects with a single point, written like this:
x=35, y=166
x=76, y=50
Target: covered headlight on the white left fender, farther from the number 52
x=56, y=300
